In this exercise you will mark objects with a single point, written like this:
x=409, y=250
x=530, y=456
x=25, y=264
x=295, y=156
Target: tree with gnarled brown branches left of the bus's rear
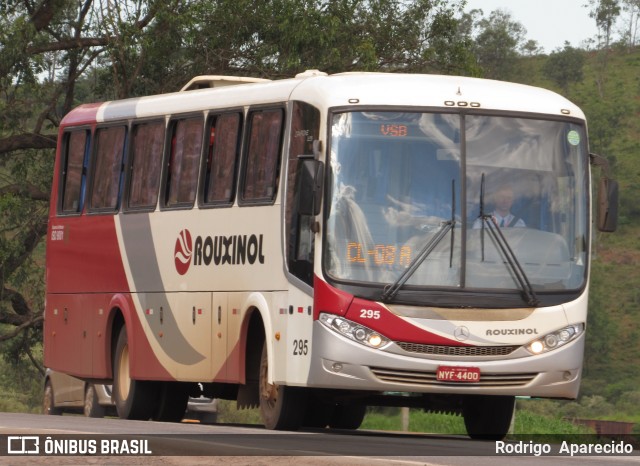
x=46, y=48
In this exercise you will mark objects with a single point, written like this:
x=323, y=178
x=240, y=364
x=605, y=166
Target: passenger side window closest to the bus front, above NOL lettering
x=260, y=171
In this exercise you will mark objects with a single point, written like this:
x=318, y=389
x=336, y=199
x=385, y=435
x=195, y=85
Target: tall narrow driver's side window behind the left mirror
x=305, y=128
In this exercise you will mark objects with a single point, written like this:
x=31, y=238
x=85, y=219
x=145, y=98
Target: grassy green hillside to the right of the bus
x=609, y=94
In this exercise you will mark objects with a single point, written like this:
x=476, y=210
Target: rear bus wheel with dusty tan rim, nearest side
x=134, y=399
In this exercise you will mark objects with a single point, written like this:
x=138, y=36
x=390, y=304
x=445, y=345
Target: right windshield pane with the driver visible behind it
x=534, y=176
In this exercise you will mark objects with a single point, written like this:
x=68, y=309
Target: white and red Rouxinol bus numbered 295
x=317, y=245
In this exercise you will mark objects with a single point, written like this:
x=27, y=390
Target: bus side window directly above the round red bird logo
x=184, y=158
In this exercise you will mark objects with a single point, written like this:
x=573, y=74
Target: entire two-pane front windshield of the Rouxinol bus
x=397, y=179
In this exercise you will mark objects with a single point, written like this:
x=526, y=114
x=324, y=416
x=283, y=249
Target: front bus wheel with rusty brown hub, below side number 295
x=281, y=407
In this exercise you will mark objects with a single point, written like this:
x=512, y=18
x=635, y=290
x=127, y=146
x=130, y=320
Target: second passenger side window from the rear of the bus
x=108, y=168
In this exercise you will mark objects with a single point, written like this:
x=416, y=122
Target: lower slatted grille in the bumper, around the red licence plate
x=429, y=379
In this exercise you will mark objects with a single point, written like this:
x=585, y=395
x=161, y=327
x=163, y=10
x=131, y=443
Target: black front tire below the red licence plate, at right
x=488, y=417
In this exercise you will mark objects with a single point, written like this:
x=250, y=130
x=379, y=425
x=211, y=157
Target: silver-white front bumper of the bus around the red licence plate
x=340, y=363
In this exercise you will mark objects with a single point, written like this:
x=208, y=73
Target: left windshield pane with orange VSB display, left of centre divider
x=395, y=180
